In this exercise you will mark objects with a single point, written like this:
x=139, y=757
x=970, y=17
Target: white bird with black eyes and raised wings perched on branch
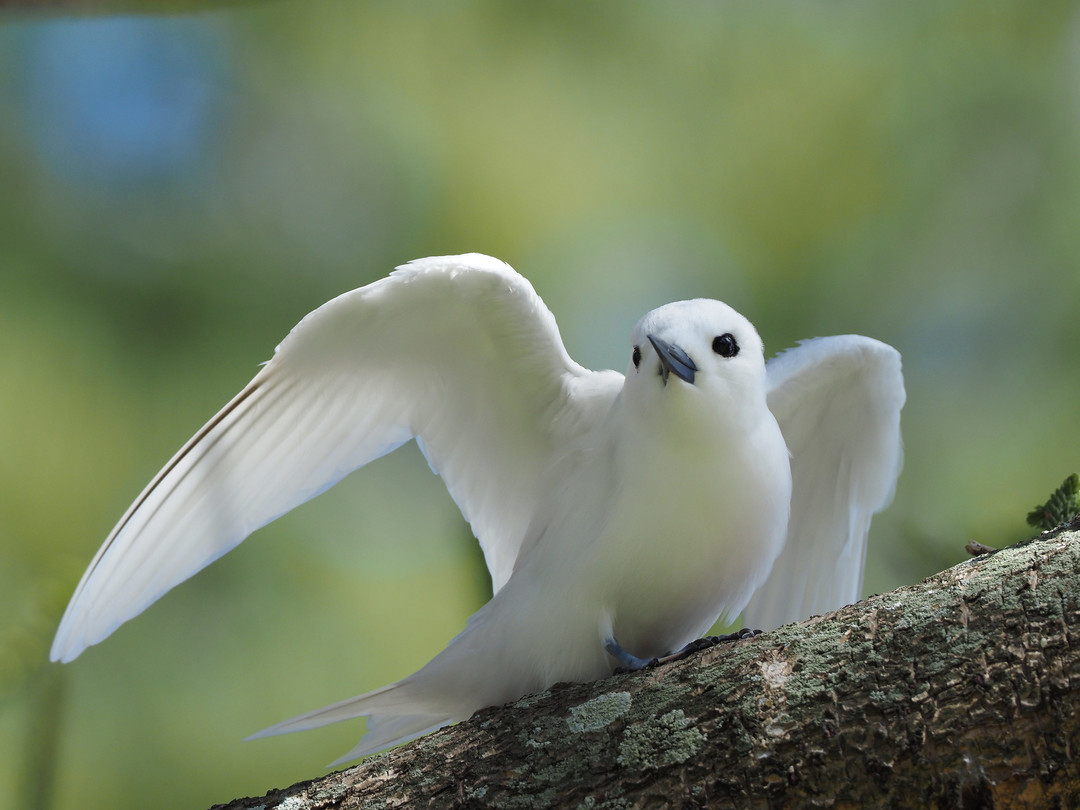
x=620, y=517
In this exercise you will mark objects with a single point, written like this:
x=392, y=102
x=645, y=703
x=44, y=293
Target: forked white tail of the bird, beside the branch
x=393, y=720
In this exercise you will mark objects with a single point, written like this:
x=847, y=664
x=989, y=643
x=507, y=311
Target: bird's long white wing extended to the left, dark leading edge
x=457, y=352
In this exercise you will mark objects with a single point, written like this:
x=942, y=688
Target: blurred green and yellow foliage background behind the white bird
x=178, y=192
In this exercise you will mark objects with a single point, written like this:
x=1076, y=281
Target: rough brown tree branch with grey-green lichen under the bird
x=958, y=693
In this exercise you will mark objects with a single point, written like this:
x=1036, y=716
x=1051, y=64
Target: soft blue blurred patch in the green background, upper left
x=123, y=102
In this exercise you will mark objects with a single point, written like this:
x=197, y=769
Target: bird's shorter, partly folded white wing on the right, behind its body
x=838, y=401
